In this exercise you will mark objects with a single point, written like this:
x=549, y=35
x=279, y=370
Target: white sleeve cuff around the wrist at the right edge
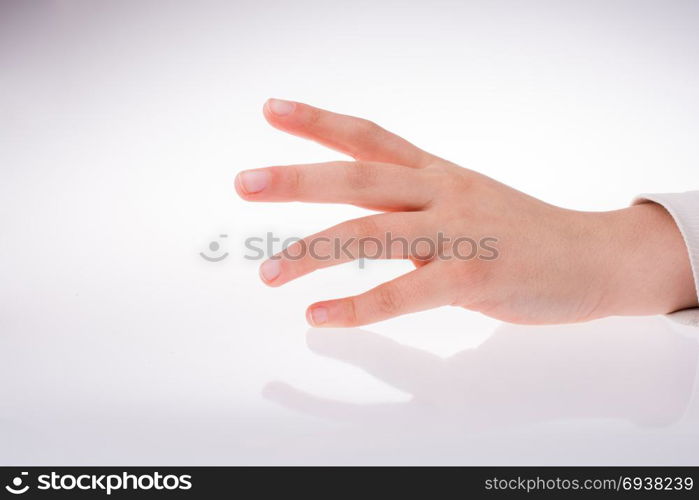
x=684, y=208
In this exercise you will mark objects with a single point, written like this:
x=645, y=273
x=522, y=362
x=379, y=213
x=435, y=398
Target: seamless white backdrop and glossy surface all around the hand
x=122, y=126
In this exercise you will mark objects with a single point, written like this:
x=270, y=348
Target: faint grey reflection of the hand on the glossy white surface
x=637, y=369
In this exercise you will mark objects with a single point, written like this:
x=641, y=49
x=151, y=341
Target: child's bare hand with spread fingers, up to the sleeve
x=553, y=265
